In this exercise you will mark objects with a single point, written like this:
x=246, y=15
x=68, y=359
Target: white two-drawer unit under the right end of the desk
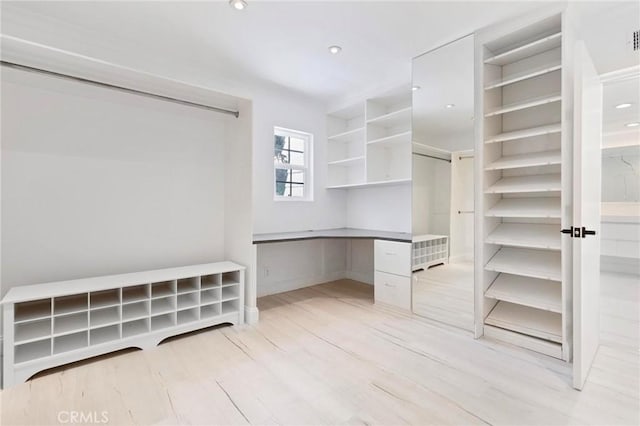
x=392, y=279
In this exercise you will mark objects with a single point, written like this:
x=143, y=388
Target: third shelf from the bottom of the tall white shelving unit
x=542, y=264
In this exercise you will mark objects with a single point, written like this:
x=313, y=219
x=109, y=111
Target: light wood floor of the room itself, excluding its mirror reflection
x=327, y=355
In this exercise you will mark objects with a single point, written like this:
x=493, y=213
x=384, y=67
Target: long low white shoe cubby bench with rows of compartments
x=48, y=325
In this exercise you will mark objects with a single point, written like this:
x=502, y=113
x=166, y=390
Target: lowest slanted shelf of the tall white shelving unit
x=530, y=321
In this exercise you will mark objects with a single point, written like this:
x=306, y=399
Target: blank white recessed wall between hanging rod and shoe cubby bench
x=99, y=182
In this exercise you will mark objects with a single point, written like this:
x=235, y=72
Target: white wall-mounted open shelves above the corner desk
x=369, y=143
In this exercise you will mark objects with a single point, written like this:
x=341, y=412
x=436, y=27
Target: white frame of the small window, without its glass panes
x=307, y=168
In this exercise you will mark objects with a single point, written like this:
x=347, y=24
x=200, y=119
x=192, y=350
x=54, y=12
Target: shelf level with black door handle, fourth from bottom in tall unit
x=526, y=235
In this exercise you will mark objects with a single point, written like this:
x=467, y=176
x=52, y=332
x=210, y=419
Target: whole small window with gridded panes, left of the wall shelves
x=292, y=165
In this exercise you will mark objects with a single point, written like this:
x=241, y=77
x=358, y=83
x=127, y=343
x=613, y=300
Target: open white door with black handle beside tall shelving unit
x=586, y=214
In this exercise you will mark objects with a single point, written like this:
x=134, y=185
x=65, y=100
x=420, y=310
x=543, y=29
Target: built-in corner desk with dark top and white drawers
x=392, y=258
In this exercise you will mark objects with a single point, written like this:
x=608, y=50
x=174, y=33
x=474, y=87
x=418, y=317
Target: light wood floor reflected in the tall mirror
x=444, y=293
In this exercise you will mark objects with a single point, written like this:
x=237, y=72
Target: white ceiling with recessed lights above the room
x=282, y=43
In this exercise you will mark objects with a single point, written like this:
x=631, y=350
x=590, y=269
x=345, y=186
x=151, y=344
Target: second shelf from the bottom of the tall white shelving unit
x=532, y=292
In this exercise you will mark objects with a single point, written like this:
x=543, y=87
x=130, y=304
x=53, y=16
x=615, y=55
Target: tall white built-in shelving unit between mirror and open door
x=521, y=291
